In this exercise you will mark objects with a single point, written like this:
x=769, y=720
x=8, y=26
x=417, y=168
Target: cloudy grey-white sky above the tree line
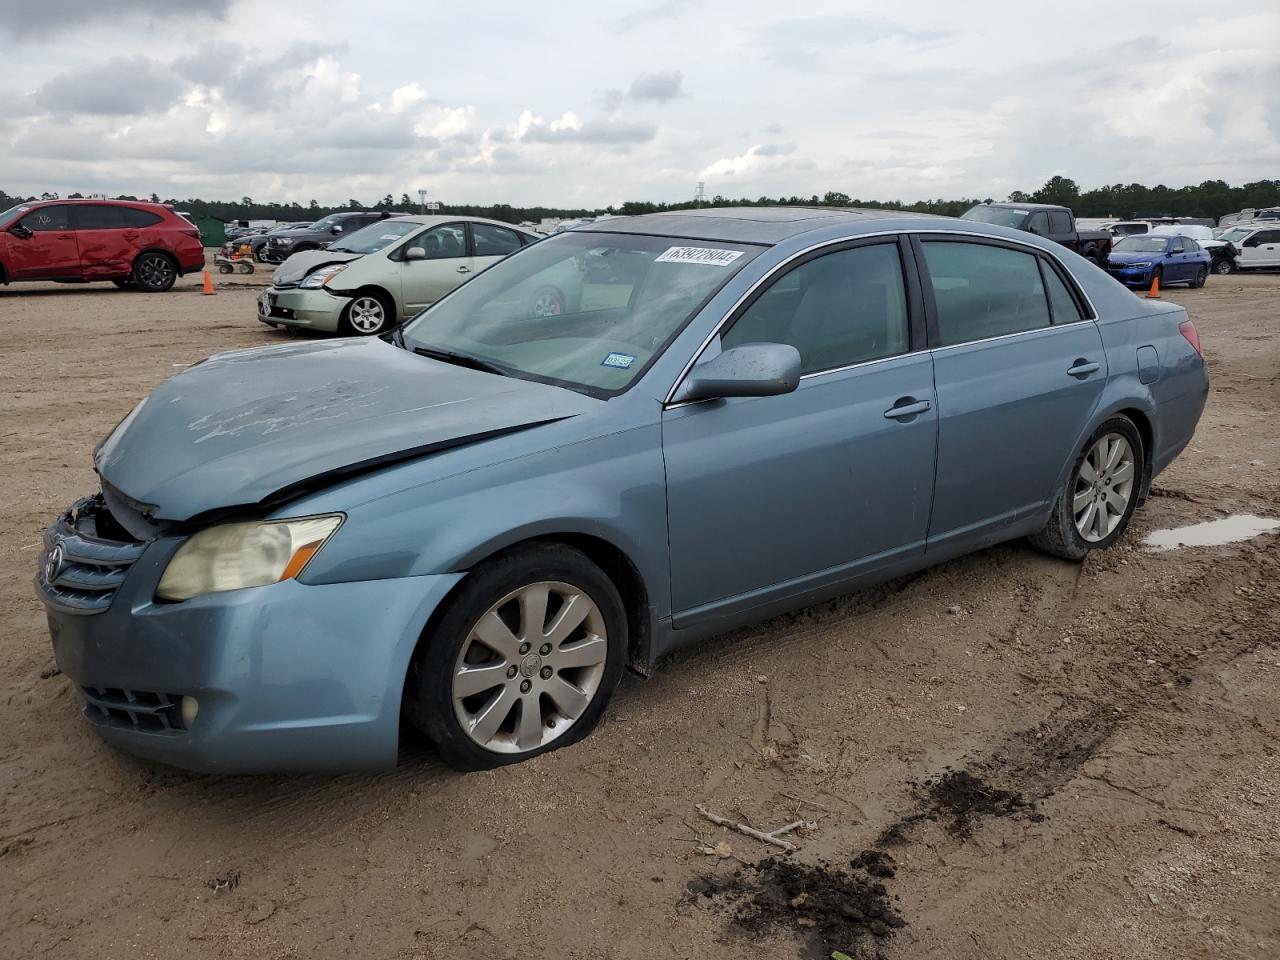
x=568, y=103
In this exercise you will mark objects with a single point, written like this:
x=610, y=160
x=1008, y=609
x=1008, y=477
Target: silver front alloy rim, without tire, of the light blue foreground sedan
x=531, y=668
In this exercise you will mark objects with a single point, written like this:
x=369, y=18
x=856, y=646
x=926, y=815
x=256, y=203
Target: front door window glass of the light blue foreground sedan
x=840, y=309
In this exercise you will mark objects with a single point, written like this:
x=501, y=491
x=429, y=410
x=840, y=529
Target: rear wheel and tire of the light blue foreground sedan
x=1100, y=496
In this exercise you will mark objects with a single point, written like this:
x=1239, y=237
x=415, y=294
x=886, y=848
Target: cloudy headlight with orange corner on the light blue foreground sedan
x=234, y=556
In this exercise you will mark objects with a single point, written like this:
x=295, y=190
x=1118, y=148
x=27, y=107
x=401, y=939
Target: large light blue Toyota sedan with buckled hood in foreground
x=468, y=529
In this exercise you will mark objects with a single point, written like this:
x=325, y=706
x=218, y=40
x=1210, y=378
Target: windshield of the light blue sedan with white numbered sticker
x=582, y=310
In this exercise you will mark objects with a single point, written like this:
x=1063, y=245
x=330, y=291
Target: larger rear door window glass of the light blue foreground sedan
x=984, y=291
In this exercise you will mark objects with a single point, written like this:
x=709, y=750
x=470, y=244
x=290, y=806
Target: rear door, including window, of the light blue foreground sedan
x=1020, y=372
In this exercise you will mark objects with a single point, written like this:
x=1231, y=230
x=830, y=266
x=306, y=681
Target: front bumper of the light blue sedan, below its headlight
x=289, y=678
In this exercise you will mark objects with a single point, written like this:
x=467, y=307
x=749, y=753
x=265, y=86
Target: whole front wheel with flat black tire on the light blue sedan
x=524, y=660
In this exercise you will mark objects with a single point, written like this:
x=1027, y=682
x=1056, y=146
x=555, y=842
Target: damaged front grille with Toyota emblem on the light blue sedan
x=83, y=566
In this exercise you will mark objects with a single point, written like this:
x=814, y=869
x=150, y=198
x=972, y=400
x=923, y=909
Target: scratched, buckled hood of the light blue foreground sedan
x=258, y=427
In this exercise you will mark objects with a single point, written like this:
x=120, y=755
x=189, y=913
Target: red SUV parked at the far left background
x=143, y=246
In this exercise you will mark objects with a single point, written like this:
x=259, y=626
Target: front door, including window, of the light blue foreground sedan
x=772, y=497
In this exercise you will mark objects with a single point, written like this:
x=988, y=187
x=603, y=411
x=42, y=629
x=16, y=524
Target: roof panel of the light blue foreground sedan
x=743, y=225
